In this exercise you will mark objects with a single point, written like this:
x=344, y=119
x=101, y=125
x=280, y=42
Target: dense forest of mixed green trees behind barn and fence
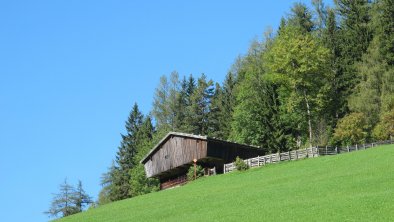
x=324, y=77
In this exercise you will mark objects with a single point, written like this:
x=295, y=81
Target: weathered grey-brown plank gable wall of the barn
x=174, y=152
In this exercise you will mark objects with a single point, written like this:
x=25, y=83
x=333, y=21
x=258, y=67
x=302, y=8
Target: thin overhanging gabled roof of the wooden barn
x=157, y=147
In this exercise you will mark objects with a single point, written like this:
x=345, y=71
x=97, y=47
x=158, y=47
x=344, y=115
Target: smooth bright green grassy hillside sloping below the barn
x=357, y=186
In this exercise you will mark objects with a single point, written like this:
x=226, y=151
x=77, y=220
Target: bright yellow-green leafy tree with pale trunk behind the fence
x=299, y=62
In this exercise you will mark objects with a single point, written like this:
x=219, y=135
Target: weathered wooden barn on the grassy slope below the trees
x=171, y=158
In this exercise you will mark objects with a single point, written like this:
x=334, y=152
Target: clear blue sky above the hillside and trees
x=71, y=70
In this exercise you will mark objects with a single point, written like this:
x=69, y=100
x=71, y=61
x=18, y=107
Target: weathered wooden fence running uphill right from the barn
x=302, y=154
